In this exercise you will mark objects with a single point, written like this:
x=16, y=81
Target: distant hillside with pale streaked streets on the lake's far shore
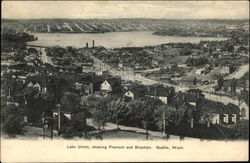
x=159, y=26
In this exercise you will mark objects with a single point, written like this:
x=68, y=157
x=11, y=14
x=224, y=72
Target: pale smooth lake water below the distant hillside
x=112, y=39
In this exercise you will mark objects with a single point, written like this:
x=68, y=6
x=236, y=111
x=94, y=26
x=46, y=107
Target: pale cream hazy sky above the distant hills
x=126, y=9
